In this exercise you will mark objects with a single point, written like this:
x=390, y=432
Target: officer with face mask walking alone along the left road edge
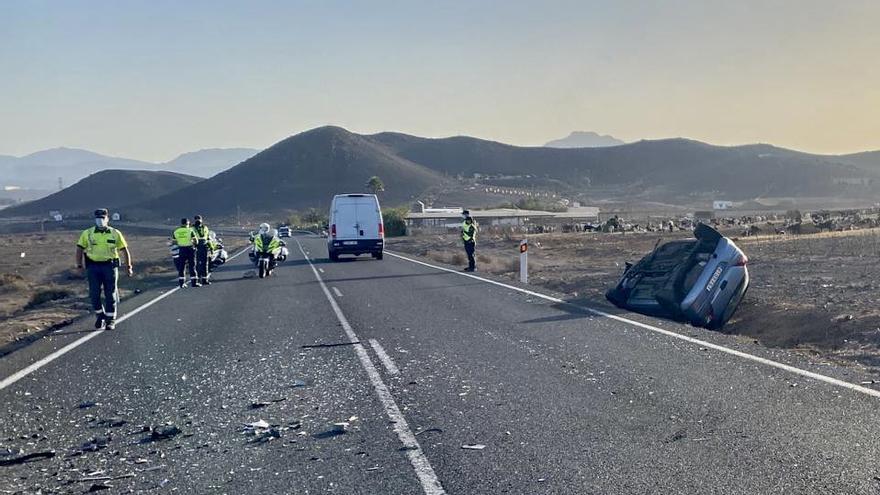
x=98, y=250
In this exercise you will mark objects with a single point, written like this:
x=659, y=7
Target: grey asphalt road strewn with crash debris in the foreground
x=420, y=363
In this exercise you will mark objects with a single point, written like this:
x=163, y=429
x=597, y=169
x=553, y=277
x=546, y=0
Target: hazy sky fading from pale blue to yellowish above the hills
x=151, y=79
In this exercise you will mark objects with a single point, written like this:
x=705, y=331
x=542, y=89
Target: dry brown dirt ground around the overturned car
x=812, y=293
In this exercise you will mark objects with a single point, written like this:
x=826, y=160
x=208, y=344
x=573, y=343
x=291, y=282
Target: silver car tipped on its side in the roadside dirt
x=699, y=281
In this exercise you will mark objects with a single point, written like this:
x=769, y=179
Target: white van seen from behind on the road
x=356, y=226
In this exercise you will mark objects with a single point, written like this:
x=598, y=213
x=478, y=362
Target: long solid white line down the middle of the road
x=430, y=483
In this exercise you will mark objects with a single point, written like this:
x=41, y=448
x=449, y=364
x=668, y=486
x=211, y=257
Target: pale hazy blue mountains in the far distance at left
x=43, y=169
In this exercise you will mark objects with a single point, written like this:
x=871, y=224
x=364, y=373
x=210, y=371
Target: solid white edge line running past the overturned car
x=769, y=362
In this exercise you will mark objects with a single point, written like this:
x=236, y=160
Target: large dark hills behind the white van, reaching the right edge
x=307, y=169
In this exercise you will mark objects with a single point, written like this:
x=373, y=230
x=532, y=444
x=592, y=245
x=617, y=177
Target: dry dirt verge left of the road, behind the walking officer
x=39, y=291
